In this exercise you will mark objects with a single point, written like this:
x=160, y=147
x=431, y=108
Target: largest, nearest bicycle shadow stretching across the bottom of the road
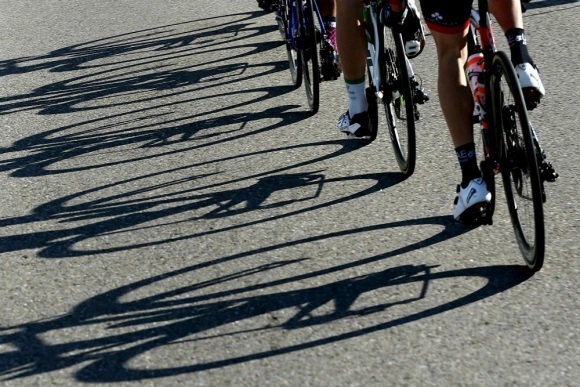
x=205, y=313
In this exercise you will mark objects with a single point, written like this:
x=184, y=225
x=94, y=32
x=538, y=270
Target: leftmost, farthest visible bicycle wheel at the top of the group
x=285, y=18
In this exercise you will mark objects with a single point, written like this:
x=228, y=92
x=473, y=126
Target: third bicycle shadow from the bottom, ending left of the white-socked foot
x=47, y=149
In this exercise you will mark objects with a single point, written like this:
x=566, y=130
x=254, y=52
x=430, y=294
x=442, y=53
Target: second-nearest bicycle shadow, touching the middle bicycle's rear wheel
x=134, y=210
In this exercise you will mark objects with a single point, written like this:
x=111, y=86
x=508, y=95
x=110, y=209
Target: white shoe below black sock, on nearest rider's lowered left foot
x=471, y=201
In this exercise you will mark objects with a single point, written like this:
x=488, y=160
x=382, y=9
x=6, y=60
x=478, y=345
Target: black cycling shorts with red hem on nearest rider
x=446, y=16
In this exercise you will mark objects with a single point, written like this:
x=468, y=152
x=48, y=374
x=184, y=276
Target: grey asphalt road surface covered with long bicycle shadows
x=171, y=214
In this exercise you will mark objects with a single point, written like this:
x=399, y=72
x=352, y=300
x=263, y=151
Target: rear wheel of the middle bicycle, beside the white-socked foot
x=400, y=109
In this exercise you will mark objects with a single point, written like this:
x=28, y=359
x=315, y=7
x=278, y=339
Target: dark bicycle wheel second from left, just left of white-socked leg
x=310, y=39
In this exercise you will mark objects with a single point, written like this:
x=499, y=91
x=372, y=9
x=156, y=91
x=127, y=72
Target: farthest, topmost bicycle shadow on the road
x=214, y=31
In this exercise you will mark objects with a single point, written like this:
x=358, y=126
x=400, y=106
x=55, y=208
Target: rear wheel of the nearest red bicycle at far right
x=519, y=167
